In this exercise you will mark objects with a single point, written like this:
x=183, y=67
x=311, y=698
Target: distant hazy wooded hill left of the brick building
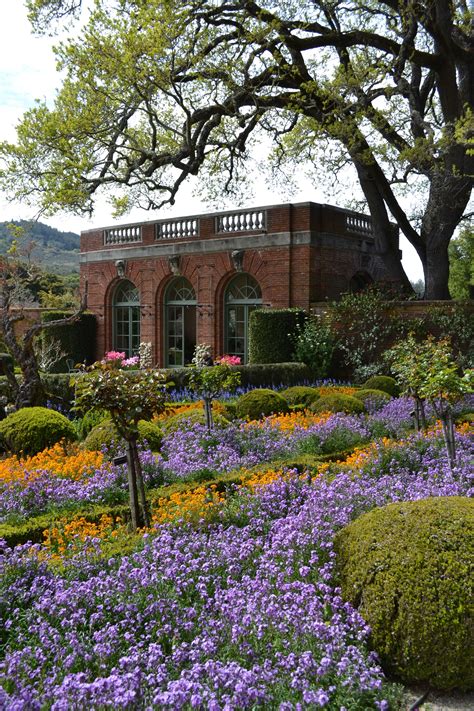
x=53, y=250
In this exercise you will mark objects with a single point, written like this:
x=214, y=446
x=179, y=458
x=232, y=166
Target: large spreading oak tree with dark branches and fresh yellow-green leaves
x=157, y=90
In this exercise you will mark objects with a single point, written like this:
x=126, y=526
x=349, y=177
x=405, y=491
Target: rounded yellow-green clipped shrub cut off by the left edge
x=32, y=429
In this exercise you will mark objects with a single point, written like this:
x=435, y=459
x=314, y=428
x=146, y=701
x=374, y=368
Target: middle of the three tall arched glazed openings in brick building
x=180, y=323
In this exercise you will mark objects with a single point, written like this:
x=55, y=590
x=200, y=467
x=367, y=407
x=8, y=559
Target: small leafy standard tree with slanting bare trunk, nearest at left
x=129, y=396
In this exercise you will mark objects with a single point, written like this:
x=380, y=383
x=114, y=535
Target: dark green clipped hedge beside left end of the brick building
x=77, y=340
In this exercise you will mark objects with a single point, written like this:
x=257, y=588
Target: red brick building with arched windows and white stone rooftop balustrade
x=182, y=281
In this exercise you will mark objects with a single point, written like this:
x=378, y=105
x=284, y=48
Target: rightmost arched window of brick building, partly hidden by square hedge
x=242, y=296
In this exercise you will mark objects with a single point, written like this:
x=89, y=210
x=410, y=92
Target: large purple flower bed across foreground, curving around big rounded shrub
x=243, y=615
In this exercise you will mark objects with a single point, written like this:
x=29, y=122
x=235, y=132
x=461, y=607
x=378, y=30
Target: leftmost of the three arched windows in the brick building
x=126, y=318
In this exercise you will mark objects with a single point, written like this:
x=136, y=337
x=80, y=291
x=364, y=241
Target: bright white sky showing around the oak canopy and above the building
x=28, y=72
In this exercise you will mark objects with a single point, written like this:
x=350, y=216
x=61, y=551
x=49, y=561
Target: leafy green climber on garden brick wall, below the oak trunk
x=363, y=330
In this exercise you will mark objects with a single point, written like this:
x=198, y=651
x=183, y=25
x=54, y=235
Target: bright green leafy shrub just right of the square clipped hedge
x=314, y=345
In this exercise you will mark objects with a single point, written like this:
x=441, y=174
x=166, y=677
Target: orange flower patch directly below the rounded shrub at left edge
x=70, y=463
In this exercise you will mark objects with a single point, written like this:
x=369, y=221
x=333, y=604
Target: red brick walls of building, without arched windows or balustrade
x=293, y=275
